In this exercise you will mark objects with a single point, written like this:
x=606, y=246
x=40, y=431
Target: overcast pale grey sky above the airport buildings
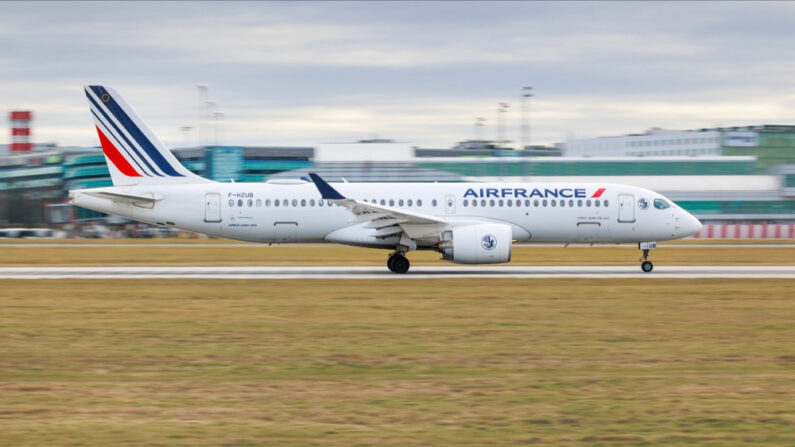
x=304, y=73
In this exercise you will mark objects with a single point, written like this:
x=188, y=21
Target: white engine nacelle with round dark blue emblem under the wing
x=477, y=244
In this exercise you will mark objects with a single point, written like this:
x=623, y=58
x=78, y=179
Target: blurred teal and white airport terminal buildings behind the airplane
x=737, y=175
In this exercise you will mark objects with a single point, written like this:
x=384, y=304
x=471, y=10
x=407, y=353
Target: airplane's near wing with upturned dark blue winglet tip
x=385, y=220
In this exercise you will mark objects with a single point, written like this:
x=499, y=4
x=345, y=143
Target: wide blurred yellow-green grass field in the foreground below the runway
x=393, y=362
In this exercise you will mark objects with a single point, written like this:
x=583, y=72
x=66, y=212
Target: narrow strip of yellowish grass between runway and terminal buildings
x=154, y=253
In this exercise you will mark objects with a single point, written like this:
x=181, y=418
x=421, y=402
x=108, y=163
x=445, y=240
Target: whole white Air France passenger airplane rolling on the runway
x=468, y=223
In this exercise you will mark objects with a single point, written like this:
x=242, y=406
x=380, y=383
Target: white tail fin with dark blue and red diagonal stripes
x=133, y=153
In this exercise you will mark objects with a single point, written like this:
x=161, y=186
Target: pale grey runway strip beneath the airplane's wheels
x=379, y=272
